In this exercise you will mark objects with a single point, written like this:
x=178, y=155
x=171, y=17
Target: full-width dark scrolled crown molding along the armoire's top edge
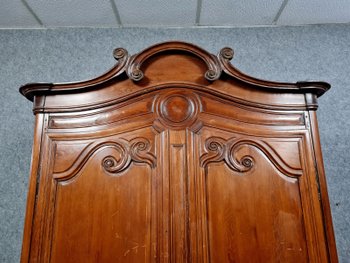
x=132, y=67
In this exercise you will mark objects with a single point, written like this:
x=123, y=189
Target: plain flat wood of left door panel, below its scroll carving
x=96, y=224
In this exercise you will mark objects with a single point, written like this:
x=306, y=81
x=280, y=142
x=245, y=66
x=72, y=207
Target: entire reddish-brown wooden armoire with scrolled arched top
x=174, y=155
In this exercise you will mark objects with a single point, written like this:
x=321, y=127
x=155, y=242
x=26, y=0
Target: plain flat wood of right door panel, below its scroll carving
x=249, y=218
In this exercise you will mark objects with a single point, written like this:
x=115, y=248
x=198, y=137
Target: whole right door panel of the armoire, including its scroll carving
x=253, y=198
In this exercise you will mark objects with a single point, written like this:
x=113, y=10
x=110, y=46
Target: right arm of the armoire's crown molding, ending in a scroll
x=316, y=87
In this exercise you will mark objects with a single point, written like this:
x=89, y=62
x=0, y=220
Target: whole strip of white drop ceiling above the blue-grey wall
x=162, y=13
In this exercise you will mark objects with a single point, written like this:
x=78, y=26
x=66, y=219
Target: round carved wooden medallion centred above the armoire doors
x=177, y=110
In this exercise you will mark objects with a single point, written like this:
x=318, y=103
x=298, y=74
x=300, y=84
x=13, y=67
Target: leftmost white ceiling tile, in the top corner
x=13, y=14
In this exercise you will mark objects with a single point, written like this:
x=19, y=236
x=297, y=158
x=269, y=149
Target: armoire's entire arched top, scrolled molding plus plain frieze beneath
x=126, y=79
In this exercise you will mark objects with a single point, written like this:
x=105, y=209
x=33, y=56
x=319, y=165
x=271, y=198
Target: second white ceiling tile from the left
x=60, y=13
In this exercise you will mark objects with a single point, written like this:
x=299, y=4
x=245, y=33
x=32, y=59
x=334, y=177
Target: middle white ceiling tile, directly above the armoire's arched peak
x=157, y=12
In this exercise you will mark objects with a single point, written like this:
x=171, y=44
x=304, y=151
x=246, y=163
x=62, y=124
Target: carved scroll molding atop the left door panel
x=137, y=150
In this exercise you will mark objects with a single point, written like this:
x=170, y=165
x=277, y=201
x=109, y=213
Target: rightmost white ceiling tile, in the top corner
x=315, y=12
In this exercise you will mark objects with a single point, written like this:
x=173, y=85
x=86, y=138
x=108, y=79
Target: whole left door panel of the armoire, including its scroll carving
x=99, y=200
